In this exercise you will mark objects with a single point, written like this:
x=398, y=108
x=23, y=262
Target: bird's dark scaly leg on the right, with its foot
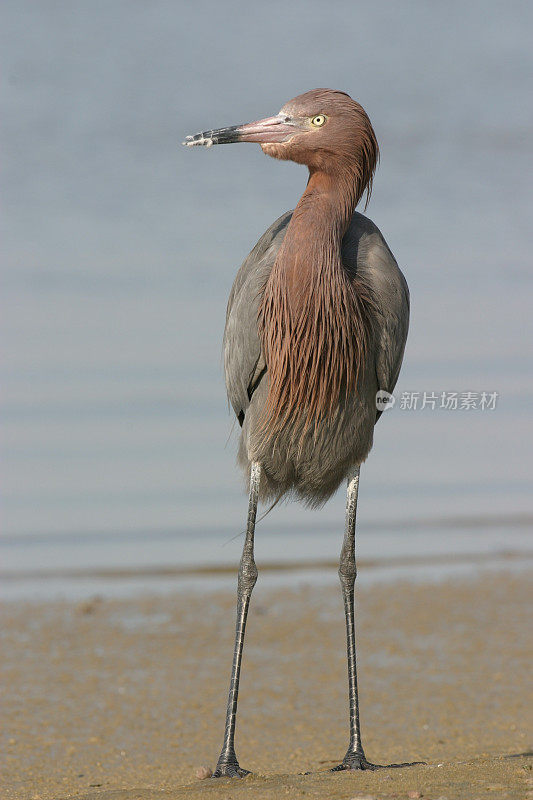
x=355, y=756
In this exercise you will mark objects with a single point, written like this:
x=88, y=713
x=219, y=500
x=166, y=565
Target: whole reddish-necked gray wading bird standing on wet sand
x=315, y=331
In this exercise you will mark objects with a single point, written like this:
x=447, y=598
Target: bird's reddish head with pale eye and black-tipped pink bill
x=323, y=128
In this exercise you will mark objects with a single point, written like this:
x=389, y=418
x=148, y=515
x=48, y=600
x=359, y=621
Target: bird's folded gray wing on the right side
x=365, y=244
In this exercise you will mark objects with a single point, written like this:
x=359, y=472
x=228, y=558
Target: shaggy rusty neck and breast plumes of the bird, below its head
x=313, y=320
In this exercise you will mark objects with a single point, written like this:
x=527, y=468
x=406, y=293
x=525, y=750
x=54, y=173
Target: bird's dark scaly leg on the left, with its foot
x=227, y=763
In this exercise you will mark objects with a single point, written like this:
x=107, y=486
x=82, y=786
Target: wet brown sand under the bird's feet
x=125, y=698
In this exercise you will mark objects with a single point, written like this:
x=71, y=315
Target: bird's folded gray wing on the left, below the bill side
x=244, y=365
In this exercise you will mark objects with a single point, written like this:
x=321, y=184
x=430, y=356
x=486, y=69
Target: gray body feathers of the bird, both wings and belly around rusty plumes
x=312, y=463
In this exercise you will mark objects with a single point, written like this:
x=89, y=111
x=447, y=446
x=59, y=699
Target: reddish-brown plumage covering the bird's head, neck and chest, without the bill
x=314, y=319
